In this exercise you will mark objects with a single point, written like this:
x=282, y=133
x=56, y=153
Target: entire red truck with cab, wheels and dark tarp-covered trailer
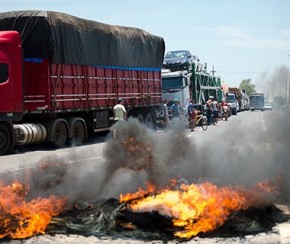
x=69, y=72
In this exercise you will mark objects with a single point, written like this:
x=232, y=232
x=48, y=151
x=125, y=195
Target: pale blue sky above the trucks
x=241, y=38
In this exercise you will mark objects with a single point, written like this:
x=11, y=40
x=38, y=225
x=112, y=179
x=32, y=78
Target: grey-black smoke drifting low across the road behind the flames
x=230, y=156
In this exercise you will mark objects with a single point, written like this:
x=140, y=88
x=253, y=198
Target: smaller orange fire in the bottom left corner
x=22, y=218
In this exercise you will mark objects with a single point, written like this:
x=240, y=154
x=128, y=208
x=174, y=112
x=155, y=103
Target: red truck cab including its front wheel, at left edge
x=11, y=87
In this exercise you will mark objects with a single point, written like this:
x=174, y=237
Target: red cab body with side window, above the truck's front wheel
x=11, y=88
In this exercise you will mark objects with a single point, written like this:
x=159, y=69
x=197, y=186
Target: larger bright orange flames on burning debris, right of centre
x=194, y=208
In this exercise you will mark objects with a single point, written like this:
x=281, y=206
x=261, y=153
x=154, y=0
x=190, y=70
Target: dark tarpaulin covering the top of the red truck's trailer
x=66, y=39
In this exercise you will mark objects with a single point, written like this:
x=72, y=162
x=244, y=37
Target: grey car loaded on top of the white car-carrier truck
x=180, y=60
